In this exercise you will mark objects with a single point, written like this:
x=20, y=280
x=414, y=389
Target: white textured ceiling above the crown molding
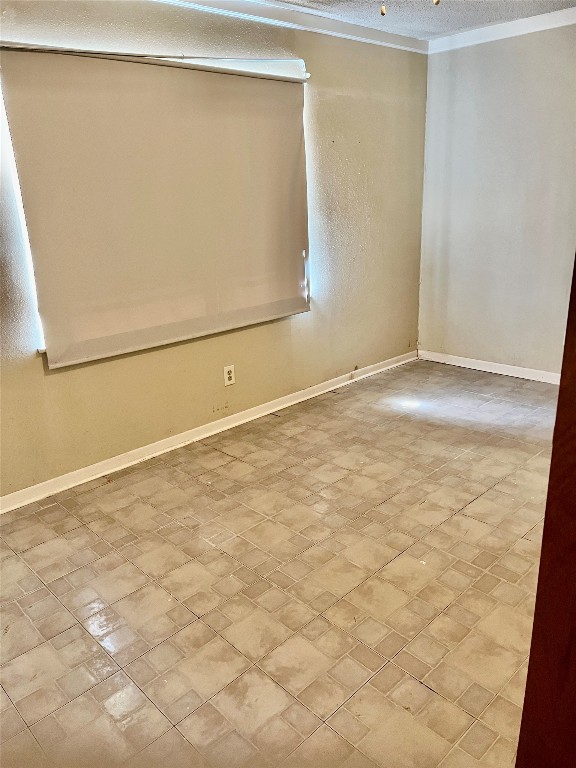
x=421, y=18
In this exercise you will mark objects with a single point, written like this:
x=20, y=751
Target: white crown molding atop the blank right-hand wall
x=544, y=21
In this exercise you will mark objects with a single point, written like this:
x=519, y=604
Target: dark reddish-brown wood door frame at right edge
x=548, y=730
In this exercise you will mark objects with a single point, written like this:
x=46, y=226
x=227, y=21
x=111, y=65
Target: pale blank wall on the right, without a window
x=499, y=224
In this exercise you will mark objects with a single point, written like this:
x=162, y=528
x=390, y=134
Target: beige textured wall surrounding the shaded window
x=365, y=115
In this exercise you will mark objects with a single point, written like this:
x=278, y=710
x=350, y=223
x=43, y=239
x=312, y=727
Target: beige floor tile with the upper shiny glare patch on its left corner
x=131, y=626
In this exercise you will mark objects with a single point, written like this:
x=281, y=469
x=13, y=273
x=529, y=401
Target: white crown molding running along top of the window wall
x=283, y=16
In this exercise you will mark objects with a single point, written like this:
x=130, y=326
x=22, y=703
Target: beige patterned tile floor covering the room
x=346, y=583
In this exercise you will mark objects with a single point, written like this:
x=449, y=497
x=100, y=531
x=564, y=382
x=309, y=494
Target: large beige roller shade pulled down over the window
x=162, y=202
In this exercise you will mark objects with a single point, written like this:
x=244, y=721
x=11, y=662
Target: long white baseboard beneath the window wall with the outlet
x=62, y=483
